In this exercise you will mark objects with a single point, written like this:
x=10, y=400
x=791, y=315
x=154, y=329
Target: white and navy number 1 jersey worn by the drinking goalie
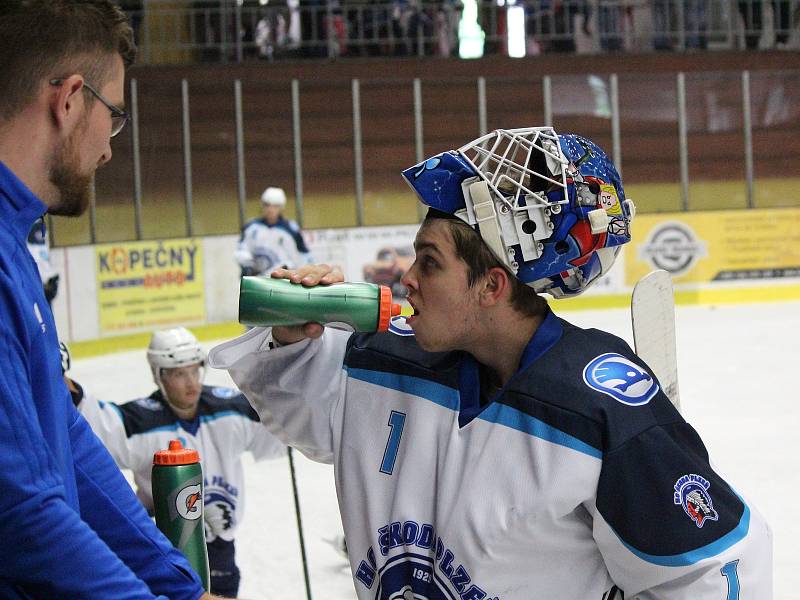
x=577, y=476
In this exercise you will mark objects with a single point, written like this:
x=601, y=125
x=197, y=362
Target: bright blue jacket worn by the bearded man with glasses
x=70, y=526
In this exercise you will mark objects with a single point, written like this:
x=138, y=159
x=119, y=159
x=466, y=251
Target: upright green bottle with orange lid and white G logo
x=178, y=504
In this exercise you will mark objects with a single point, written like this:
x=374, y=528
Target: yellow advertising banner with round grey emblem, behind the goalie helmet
x=720, y=246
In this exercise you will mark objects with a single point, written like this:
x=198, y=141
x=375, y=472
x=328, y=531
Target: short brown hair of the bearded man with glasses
x=41, y=39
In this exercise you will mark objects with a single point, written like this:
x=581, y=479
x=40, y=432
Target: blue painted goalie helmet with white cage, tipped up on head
x=550, y=207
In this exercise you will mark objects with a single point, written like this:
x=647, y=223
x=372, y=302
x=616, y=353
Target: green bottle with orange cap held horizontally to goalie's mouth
x=267, y=302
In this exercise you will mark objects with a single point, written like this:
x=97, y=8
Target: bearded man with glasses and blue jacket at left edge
x=69, y=523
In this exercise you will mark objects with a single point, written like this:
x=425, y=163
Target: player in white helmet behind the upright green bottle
x=217, y=421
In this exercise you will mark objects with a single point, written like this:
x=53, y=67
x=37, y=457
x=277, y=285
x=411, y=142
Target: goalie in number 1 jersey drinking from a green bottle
x=484, y=448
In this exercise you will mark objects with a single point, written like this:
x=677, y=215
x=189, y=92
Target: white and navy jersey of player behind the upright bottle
x=225, y=428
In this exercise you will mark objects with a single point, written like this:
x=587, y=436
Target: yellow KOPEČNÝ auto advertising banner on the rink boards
x=149, y=285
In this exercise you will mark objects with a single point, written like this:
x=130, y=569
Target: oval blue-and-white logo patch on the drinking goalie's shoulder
x=616, y=376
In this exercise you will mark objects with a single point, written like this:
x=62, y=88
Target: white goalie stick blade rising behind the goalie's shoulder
x=653, y=322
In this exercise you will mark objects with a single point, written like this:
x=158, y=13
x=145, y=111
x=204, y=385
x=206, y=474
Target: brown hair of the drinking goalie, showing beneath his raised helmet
x=479, y=259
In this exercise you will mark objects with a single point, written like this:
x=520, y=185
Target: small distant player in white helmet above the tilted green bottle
x=271, y=241
